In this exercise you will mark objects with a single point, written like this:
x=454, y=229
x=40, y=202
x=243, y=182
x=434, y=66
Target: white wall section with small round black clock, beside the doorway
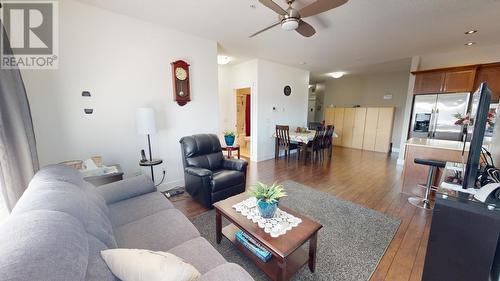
x=267, y=80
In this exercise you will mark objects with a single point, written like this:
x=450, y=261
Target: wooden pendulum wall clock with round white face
x=180, y=81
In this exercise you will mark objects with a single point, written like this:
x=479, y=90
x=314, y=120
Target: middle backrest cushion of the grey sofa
x=67, y=198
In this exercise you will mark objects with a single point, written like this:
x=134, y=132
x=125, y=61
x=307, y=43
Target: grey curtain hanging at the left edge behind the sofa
x=18, y=156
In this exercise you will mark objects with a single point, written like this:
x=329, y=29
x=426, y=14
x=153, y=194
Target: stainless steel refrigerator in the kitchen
x=433, y=116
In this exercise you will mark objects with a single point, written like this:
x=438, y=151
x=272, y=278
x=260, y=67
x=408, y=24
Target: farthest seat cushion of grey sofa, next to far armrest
x=130, y=210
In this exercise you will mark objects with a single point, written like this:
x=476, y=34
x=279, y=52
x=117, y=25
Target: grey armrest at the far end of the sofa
x=125, y=189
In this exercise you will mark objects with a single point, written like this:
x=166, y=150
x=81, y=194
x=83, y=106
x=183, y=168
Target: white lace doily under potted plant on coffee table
x=276, y=226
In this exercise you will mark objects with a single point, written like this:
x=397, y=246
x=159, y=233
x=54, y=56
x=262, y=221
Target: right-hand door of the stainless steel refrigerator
x=448, y=105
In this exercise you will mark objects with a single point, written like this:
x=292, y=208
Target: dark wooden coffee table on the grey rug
x=288, y=256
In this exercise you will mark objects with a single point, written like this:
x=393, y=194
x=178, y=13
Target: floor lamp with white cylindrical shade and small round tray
x=146, y=125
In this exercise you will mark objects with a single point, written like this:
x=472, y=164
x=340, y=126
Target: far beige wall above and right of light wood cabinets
x=369, y=90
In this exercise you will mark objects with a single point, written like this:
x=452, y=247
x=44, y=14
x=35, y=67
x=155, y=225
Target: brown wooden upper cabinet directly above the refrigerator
x=449, y=80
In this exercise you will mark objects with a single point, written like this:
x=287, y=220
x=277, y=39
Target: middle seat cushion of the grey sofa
x=159, y=232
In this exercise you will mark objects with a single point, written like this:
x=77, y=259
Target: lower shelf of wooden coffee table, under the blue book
x=294, y=261
